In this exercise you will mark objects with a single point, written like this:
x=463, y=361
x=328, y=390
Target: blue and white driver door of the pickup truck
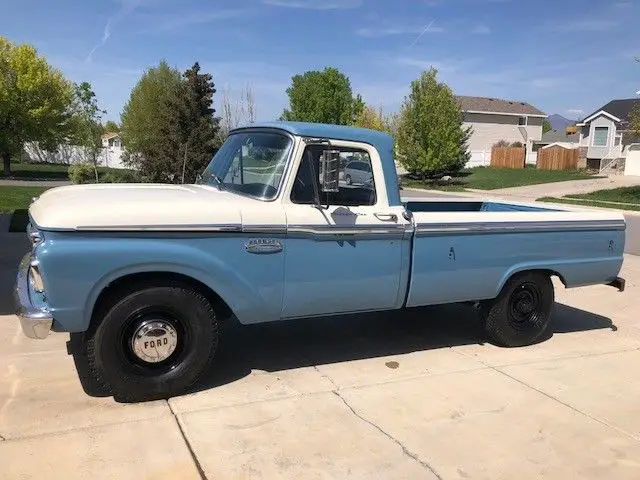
x=346, y=256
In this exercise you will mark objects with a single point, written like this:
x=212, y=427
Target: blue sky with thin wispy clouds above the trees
x=563, y=56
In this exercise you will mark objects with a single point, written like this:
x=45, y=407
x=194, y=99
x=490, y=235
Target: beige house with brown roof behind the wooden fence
x=494, y=119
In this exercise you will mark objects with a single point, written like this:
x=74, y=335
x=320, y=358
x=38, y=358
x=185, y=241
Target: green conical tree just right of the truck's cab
x=431, y=137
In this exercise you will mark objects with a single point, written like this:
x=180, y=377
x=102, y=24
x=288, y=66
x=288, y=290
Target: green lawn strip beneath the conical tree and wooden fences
x=487, y=178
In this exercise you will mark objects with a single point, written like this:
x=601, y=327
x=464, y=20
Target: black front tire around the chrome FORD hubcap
x=111, y=357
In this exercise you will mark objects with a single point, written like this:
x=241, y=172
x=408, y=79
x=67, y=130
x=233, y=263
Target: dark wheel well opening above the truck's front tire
x=129, y=282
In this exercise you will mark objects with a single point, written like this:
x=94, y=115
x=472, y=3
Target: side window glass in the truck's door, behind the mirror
x=356, y=185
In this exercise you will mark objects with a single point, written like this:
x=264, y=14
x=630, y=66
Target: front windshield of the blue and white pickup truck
x=250, y=163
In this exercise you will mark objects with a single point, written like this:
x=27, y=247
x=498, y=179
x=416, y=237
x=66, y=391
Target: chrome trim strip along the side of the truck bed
x=428, y=229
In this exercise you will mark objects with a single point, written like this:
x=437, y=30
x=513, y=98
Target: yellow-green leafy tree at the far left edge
x=35, y=101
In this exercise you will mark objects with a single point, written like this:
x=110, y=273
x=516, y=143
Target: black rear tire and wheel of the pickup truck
x=521, y=313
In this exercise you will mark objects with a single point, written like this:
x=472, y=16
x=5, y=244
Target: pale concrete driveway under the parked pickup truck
x=417, y=395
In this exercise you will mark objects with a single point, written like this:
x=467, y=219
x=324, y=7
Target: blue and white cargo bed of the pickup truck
x=467, y=249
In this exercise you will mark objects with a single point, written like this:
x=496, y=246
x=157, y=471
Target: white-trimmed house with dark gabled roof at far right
x=605, y=135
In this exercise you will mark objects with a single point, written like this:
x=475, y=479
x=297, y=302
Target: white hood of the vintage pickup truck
x=137, y=207
